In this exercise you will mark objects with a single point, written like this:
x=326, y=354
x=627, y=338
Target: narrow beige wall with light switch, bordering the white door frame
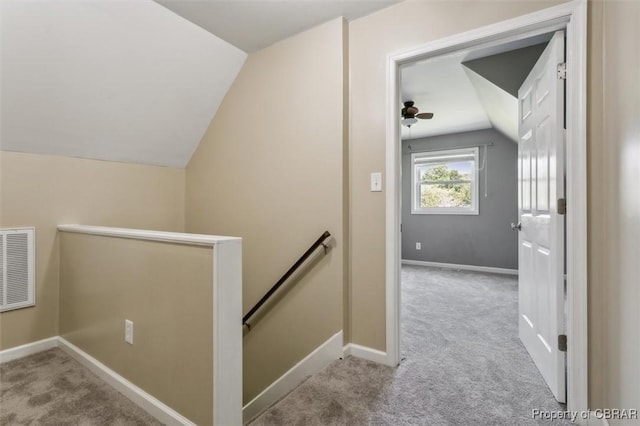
x=372, y=38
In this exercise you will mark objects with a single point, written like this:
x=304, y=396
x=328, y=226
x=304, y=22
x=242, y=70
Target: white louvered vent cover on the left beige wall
x=17, y=272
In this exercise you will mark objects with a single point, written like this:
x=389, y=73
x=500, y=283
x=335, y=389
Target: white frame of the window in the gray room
x=415, y=184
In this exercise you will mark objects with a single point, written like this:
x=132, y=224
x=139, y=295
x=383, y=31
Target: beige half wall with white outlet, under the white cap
x=167, y=291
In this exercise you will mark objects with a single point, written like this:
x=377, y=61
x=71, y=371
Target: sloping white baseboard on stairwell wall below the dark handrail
x=313, y=363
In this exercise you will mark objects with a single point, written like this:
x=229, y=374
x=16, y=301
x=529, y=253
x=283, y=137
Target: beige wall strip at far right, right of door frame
x=615, y=171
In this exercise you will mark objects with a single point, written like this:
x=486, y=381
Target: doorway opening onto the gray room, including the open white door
x=462, y=189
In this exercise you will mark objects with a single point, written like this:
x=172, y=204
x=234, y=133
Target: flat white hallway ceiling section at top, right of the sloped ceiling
x=254, y=24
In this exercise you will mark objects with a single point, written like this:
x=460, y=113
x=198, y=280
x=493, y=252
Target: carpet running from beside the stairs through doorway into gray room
x=462, y=364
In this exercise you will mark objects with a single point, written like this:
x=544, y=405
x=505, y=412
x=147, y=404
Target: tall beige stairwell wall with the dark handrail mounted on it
x=270, y=170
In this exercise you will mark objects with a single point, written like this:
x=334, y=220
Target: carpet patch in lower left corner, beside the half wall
x=51, y=388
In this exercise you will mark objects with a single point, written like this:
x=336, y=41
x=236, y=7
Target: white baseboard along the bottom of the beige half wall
x=150, y=404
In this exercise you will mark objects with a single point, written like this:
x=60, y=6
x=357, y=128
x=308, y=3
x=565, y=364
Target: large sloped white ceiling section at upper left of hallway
x=111, y=80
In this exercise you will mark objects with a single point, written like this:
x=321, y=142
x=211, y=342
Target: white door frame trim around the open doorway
x=572, y=17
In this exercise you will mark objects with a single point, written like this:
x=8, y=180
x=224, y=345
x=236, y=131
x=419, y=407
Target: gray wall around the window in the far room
x=481, y=240
